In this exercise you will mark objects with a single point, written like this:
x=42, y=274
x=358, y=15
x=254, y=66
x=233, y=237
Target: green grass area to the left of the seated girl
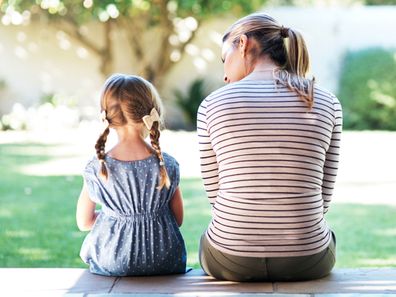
x=37, y=212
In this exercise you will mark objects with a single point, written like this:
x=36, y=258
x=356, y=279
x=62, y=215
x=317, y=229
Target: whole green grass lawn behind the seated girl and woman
x=37, y=218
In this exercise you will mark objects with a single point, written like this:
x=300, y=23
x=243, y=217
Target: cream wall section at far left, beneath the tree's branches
x=36, y=60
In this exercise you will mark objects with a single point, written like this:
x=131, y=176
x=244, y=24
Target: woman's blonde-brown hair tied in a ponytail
x=284, y=46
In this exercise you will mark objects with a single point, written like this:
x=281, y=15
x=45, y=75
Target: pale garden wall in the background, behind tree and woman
x=36, y=59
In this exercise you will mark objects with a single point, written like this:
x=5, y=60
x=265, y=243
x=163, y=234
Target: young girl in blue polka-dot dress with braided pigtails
x=136, y=232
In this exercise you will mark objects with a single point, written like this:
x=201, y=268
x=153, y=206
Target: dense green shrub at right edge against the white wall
x=368, y=89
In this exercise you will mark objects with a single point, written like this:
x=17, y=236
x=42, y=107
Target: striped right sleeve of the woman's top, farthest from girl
x=332, y=157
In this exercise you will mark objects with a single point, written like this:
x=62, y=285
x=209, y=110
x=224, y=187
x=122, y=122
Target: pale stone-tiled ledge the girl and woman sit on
x=80, y=283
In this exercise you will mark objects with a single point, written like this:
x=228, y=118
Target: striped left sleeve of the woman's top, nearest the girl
x=209, y=165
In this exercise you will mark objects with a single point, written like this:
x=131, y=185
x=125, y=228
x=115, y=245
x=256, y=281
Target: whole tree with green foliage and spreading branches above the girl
x=174, y=23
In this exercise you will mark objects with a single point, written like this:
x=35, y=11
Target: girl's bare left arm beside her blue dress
x=85, y=214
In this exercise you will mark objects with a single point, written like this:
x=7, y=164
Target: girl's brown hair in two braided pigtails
x=126, y=99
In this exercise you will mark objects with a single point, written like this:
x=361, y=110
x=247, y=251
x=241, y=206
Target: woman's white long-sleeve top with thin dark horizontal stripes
x=269, y=165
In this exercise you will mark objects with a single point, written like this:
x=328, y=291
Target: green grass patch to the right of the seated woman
x=365, y=234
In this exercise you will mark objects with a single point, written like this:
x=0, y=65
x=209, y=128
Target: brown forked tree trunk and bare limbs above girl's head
x=152, y=69
